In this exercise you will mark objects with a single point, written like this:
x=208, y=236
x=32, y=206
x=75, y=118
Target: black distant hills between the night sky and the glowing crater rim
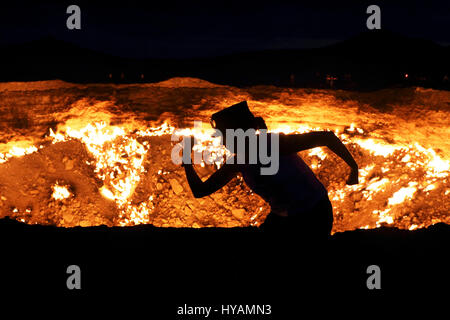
x=367, y=61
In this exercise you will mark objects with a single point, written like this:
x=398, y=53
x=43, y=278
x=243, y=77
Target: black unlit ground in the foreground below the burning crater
x=162, y=269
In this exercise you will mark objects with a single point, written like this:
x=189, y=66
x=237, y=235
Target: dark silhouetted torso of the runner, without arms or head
x=298, y=200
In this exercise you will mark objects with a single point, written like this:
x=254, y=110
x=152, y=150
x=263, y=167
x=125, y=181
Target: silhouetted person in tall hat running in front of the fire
x=298, y=200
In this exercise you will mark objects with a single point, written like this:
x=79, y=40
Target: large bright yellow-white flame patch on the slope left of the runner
x=118, y=162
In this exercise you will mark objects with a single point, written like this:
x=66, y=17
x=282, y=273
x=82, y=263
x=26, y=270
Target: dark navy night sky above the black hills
x=210, y=28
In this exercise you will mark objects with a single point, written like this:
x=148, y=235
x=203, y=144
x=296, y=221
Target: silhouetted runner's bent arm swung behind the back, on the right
x=294, y=143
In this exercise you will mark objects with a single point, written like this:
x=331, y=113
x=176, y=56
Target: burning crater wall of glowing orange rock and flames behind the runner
x=85, y=155
